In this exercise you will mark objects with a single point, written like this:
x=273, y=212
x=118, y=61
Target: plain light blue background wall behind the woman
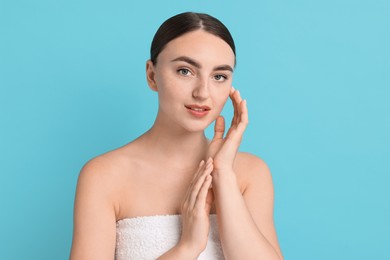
x=316, y=75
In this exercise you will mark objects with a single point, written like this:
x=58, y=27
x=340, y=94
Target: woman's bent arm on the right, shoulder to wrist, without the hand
x=246, y=221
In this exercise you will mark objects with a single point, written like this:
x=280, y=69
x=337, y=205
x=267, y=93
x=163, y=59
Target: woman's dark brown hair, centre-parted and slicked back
x=188, y=22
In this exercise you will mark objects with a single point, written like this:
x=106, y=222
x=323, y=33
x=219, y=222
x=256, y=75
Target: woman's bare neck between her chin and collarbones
x=178, y=147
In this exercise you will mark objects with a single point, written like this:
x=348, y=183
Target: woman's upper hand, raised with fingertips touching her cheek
x=224, y=150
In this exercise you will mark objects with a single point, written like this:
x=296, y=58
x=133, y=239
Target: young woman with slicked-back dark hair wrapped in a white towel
x=172, y=193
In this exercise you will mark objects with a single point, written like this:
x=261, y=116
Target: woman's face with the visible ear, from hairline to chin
x=193, y=78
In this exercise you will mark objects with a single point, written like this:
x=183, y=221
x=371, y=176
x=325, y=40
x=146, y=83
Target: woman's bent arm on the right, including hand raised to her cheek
x=245, y=221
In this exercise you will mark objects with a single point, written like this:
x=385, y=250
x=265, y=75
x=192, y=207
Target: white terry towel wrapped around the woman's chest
x=149, y=237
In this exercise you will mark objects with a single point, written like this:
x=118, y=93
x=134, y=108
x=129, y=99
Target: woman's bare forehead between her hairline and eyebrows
x=202, y=46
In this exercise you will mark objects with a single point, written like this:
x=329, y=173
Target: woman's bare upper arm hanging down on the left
x=94, y=215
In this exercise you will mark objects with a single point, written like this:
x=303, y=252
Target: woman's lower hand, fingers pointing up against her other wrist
x=196, y=210
